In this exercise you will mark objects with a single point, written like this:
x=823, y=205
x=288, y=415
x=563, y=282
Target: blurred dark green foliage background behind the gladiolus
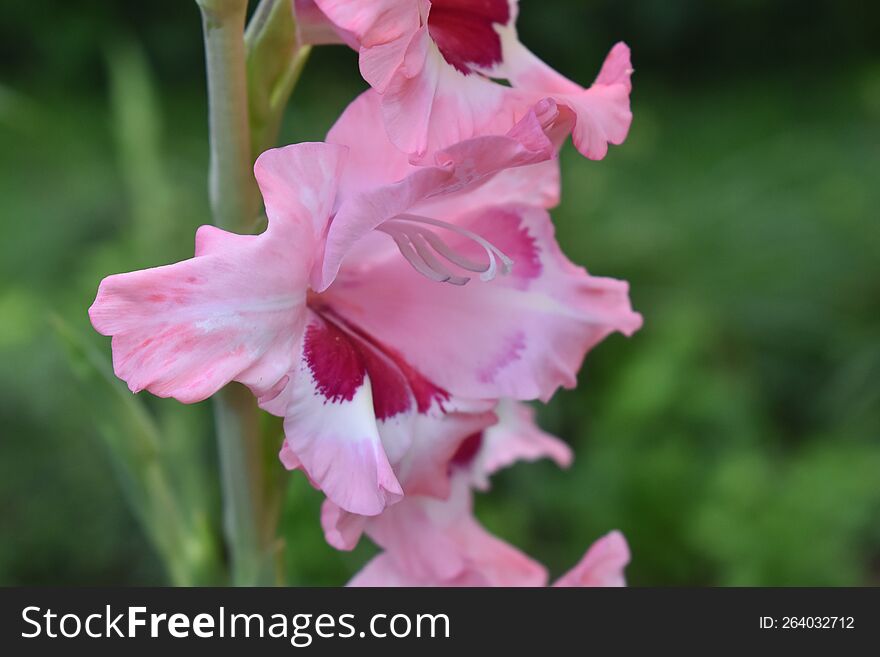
x=735, y=439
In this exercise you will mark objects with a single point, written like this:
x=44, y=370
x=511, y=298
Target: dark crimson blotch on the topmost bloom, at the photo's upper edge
x=464, y=33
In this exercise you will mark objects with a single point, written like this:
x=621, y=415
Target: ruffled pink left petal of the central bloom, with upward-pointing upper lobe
x=235, y=311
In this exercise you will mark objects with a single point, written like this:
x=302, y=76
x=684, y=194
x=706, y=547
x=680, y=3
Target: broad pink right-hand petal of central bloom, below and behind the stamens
x=520, y=336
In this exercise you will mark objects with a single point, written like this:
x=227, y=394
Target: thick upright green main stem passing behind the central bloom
x=248, y=520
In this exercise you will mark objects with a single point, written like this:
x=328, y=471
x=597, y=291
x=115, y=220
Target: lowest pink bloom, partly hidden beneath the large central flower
x=433, y=542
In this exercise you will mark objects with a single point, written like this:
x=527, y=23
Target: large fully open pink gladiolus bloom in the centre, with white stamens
x=337, y=316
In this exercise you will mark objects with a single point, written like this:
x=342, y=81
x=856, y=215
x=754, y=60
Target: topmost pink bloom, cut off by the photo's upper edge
x=434, y=62
